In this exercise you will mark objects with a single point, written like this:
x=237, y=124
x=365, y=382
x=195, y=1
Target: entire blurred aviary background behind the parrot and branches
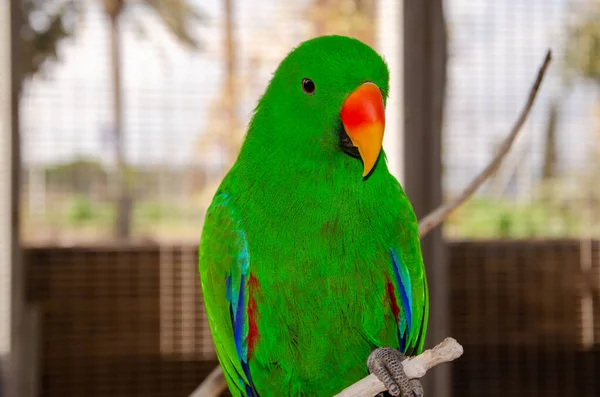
x=127, y=113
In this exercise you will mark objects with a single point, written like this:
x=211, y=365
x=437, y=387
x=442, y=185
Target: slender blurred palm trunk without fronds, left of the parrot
x=113, y=10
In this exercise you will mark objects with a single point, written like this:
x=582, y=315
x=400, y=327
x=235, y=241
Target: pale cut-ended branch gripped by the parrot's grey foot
x=414, y=367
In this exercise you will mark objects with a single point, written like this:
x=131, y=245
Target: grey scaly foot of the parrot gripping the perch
x=386, y=364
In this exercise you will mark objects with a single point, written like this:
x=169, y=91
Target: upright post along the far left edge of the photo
x=11, y=273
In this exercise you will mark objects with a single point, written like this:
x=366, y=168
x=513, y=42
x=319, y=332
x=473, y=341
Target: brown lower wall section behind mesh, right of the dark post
x=528, y=324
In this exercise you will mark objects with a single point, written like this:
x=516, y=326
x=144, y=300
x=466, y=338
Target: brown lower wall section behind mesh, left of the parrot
x=119, y=321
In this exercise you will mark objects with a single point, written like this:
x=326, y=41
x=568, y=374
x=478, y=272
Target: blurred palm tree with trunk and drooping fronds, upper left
x=40, y=46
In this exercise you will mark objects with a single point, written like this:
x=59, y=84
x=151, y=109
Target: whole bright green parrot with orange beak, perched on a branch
x=310, y=260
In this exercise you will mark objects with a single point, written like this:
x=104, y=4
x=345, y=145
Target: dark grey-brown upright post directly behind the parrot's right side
x=424, y=60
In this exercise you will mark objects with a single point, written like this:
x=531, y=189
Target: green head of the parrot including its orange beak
x=326, y=100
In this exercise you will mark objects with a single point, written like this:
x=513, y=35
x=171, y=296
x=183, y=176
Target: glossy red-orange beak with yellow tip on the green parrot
x=363, y=116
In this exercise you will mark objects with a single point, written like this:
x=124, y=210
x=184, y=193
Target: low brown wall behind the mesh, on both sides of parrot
x=130, y=322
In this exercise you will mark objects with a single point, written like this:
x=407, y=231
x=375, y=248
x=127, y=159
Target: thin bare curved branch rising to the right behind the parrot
x=437, y=216
